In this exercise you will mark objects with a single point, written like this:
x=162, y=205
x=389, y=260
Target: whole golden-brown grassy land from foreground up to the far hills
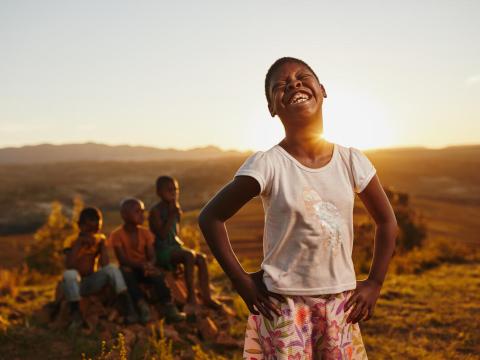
x=427, y=304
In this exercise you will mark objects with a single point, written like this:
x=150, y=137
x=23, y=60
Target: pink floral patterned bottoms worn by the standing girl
x=310, y=327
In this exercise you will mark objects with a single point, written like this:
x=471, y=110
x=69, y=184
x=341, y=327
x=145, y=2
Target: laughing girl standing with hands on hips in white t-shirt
x=305, y=302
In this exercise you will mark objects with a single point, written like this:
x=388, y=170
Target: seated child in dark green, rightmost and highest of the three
x=164, y=222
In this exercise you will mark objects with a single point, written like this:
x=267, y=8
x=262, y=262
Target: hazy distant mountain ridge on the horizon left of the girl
x=47, y=153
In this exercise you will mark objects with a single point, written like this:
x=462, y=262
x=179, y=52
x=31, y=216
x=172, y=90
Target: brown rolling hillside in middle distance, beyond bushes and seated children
x=443, y=184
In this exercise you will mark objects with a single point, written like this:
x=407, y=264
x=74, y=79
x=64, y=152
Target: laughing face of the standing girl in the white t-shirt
x=295, y=93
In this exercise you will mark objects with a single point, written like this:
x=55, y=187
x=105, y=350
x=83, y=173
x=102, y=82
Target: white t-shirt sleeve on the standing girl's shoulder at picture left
x=258, y=167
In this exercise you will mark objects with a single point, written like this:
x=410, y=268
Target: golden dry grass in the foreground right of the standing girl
x=434, y=315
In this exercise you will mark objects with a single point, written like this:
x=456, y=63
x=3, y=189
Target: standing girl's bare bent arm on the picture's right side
x=366, y=294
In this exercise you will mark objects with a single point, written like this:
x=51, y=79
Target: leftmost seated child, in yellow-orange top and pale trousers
x=80, y=278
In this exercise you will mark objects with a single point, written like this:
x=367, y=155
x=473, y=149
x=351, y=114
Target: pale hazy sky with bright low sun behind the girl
x=187, y=74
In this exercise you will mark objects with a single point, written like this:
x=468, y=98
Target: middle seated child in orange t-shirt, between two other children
x=133, y=245
